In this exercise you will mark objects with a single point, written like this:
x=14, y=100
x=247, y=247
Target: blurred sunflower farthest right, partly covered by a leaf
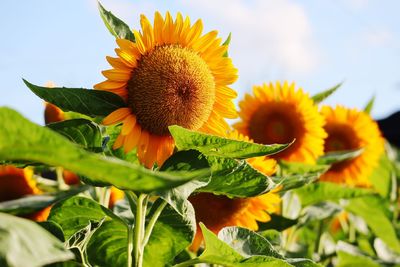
x=350, y=129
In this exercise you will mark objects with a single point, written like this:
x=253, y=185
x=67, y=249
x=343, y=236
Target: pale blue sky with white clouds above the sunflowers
x=315, y=43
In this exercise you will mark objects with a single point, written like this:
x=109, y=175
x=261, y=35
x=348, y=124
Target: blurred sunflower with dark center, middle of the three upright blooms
x=279, y=114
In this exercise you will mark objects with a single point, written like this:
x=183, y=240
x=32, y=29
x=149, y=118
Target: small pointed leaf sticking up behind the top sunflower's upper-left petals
x=116, y=26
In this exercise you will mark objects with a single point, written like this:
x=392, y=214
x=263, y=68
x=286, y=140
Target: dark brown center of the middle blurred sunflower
x=273, y=124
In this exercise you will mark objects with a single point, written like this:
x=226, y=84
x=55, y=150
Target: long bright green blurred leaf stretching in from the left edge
x=21, y=139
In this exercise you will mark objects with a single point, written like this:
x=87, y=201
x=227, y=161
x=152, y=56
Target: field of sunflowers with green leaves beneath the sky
x=156, y=166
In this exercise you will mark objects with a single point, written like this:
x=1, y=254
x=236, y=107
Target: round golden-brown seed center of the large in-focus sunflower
x=171, y=85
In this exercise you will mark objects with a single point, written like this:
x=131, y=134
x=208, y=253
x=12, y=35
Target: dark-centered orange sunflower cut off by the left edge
x=16, y=183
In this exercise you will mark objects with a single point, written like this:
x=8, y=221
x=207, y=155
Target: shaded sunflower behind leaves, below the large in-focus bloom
x=244, y=212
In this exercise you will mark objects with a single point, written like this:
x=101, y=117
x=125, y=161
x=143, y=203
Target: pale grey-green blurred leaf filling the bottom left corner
x=24, y=243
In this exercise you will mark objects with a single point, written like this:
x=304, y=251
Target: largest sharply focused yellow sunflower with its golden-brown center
x=171, y=74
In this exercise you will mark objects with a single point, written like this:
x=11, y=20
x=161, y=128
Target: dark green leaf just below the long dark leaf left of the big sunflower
x=80, y=131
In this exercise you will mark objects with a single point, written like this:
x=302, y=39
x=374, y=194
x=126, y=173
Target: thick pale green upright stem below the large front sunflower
x=139, y=225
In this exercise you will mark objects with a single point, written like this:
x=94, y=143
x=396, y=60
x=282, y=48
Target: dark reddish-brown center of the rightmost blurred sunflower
x=340, y=137
